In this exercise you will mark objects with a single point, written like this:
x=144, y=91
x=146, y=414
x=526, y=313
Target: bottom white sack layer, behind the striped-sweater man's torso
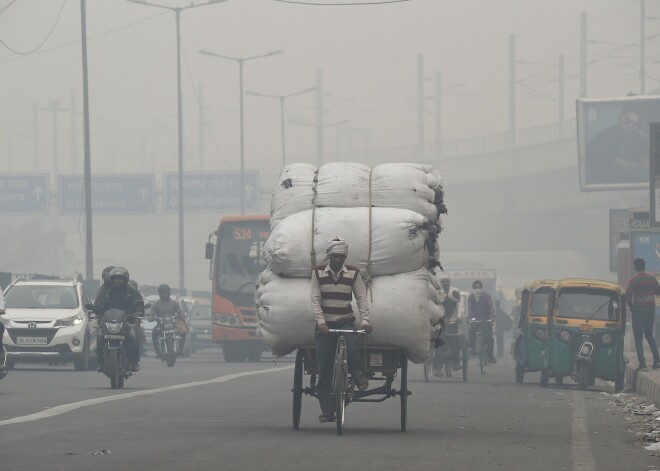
x=403, y=307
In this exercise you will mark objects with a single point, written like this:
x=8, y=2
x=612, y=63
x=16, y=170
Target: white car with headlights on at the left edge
x=46, y=321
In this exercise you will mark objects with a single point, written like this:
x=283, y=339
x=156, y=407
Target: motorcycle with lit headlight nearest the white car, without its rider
x=116, y=326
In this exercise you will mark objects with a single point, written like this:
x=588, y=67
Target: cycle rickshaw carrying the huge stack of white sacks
x=380, y=364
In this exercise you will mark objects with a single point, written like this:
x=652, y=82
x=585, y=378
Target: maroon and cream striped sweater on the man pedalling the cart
x=332, y=294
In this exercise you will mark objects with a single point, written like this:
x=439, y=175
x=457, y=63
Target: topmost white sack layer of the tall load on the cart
x=415, y=187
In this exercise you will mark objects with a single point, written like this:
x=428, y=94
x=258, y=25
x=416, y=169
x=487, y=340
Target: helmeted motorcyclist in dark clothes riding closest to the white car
x=120, y=295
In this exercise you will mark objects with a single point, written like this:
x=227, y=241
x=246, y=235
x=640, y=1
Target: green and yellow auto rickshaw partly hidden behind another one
x=530, y=334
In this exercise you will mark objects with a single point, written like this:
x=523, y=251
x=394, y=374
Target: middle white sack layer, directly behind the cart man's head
x=399, y=240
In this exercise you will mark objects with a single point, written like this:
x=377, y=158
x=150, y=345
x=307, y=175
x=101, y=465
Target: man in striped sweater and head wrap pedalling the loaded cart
x=332, y=290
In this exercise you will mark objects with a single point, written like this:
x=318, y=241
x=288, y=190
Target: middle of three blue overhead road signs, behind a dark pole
x=111, y=194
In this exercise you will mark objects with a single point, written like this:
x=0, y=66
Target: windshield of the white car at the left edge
x=41, y=297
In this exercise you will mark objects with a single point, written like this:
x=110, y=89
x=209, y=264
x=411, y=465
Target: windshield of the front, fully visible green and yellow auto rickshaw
x=580, y=303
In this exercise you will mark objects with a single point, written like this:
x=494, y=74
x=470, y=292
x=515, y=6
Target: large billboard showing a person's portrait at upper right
x=613, y=141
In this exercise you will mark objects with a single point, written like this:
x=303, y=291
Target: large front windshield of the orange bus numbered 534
x=239, y=259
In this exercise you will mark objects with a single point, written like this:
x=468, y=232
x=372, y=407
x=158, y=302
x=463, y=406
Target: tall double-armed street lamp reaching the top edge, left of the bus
x=177, y=13
